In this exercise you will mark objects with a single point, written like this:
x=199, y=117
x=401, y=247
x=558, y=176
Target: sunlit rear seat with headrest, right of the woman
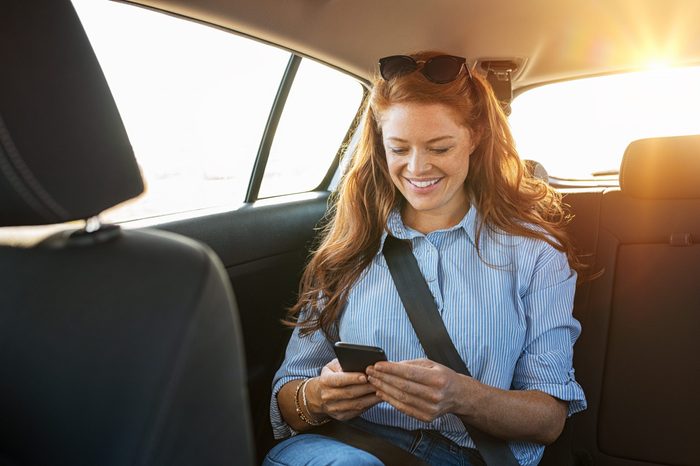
x=637, y=355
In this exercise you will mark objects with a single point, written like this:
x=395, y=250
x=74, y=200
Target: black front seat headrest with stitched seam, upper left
x=64, y=152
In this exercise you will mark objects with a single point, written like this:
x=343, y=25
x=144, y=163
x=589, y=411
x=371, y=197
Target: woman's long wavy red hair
x=506, y=196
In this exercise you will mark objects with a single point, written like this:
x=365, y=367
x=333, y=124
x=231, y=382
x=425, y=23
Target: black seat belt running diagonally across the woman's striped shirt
x=432, y=334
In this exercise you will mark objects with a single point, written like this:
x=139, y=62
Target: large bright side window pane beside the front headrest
x=194, y=100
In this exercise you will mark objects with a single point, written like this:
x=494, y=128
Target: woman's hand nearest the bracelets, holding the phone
x=340, y=395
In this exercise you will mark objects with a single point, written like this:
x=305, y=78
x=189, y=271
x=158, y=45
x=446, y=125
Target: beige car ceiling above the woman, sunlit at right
x=553, y=39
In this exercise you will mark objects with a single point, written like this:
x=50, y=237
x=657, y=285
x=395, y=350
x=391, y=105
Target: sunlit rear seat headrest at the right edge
x=662, y=168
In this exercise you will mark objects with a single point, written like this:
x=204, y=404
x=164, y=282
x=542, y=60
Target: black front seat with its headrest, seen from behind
x=116, y=347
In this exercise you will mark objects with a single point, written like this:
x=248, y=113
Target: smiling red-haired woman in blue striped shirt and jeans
x=436, y=165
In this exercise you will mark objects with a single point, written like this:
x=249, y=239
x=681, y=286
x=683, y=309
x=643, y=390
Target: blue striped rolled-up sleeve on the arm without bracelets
x=546, y=361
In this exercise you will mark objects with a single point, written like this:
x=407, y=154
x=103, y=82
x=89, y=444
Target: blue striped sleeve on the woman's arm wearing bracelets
x=304, y=358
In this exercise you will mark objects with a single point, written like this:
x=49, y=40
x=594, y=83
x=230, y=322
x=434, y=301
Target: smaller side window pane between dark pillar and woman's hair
x=320, y=108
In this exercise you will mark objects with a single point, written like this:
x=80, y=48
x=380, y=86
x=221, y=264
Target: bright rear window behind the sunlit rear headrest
x=580, y=129
